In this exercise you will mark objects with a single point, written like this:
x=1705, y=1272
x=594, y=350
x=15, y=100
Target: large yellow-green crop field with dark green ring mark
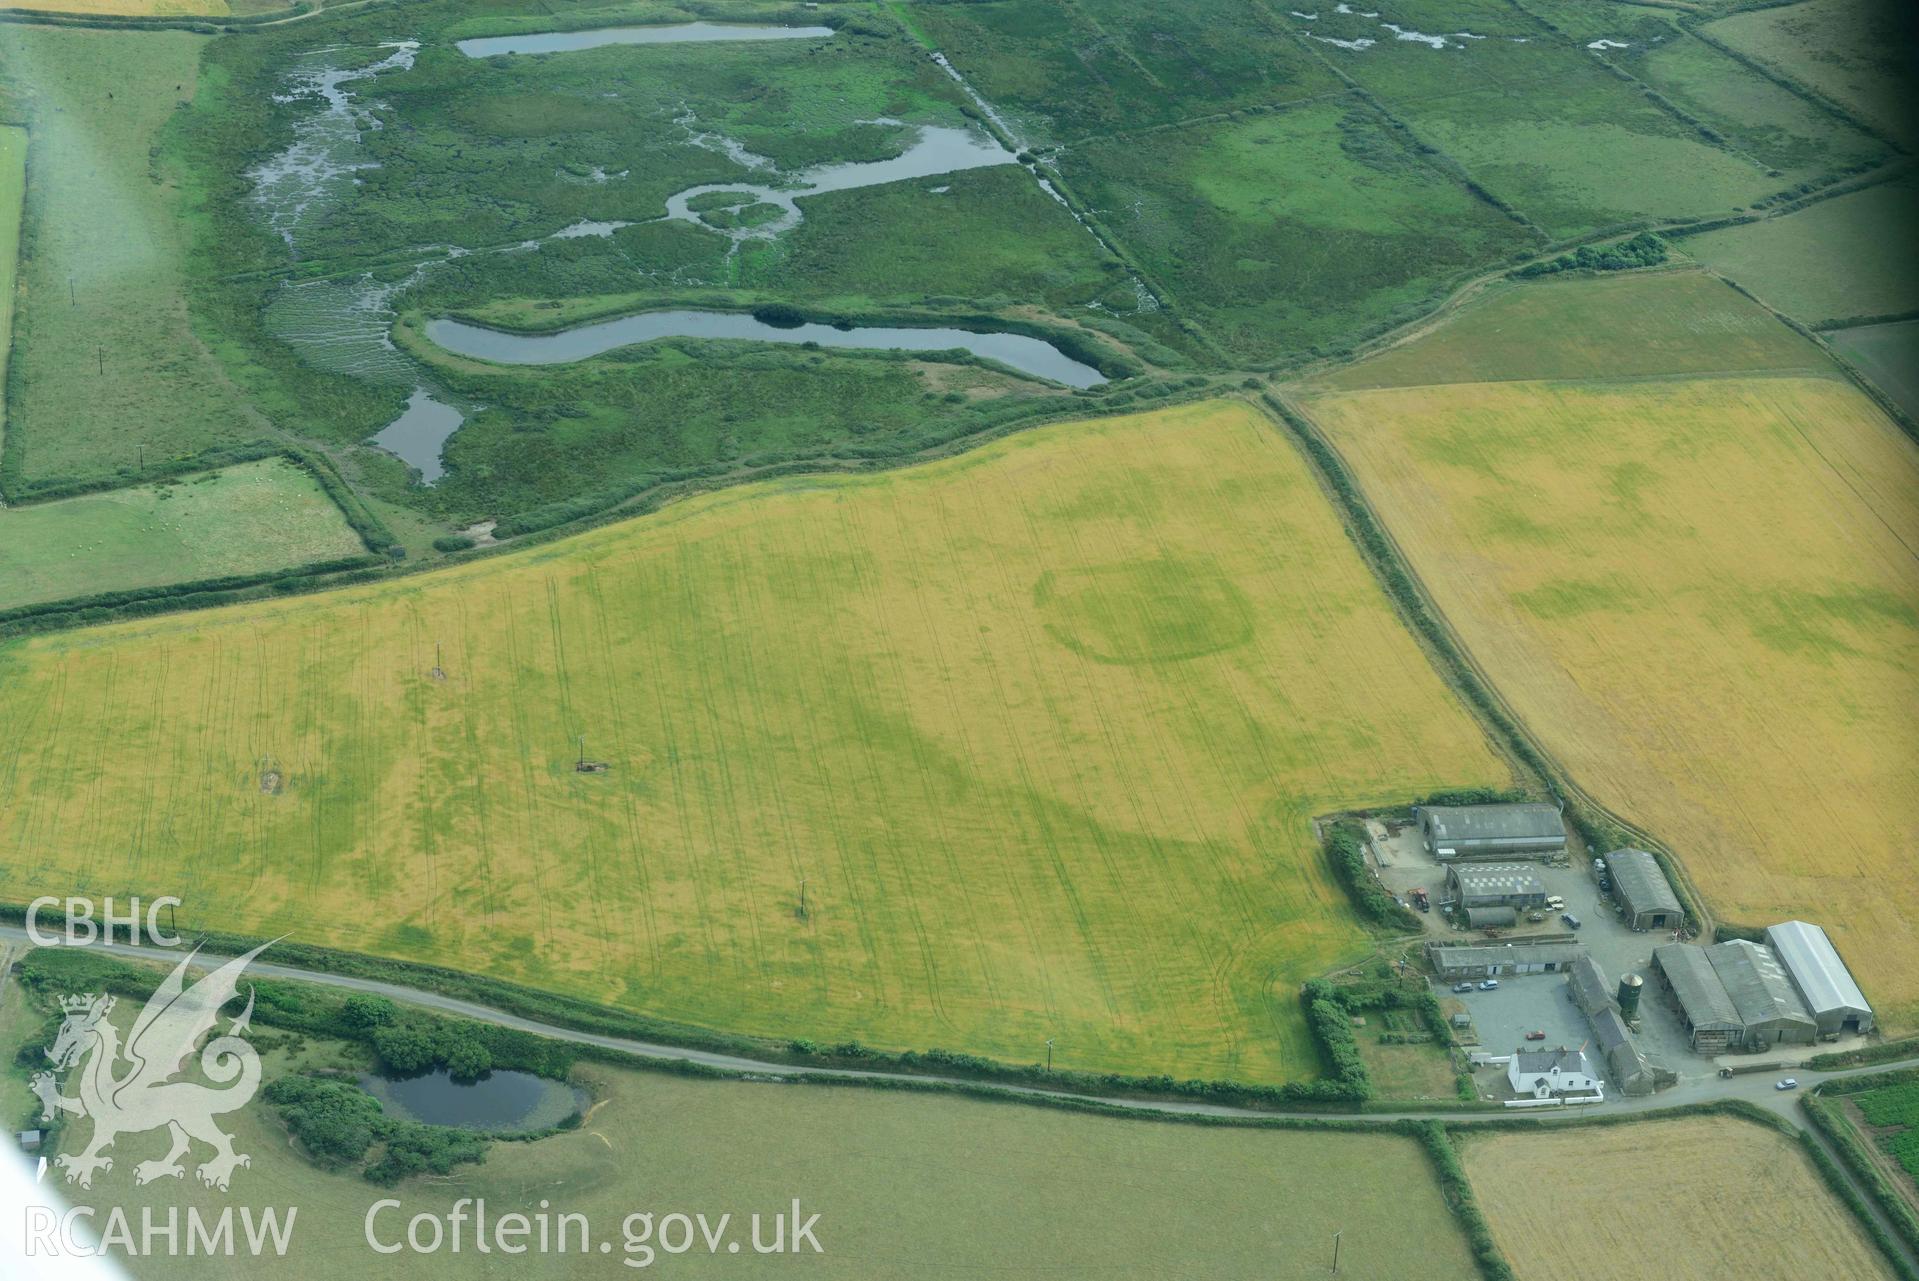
x=1041, y=728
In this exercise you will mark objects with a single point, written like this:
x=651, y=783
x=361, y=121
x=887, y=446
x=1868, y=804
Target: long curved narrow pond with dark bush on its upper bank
x=1028, y=356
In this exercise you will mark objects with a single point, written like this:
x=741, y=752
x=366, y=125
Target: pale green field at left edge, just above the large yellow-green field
x=243, y=521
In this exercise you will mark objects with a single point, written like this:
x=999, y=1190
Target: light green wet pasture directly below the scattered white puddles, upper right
x=1553, y=133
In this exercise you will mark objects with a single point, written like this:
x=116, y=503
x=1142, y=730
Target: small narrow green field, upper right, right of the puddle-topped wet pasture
x=1761, y=118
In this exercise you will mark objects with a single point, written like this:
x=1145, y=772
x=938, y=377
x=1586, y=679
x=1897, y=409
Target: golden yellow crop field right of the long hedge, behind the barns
x=1703, y=597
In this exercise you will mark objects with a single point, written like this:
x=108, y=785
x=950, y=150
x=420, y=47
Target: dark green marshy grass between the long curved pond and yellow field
x=548, y=434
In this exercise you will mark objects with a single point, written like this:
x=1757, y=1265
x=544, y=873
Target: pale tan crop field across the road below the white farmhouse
x=1741, y=1201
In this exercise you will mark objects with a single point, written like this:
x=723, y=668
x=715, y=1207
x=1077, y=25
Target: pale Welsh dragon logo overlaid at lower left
x=130, y=1090
